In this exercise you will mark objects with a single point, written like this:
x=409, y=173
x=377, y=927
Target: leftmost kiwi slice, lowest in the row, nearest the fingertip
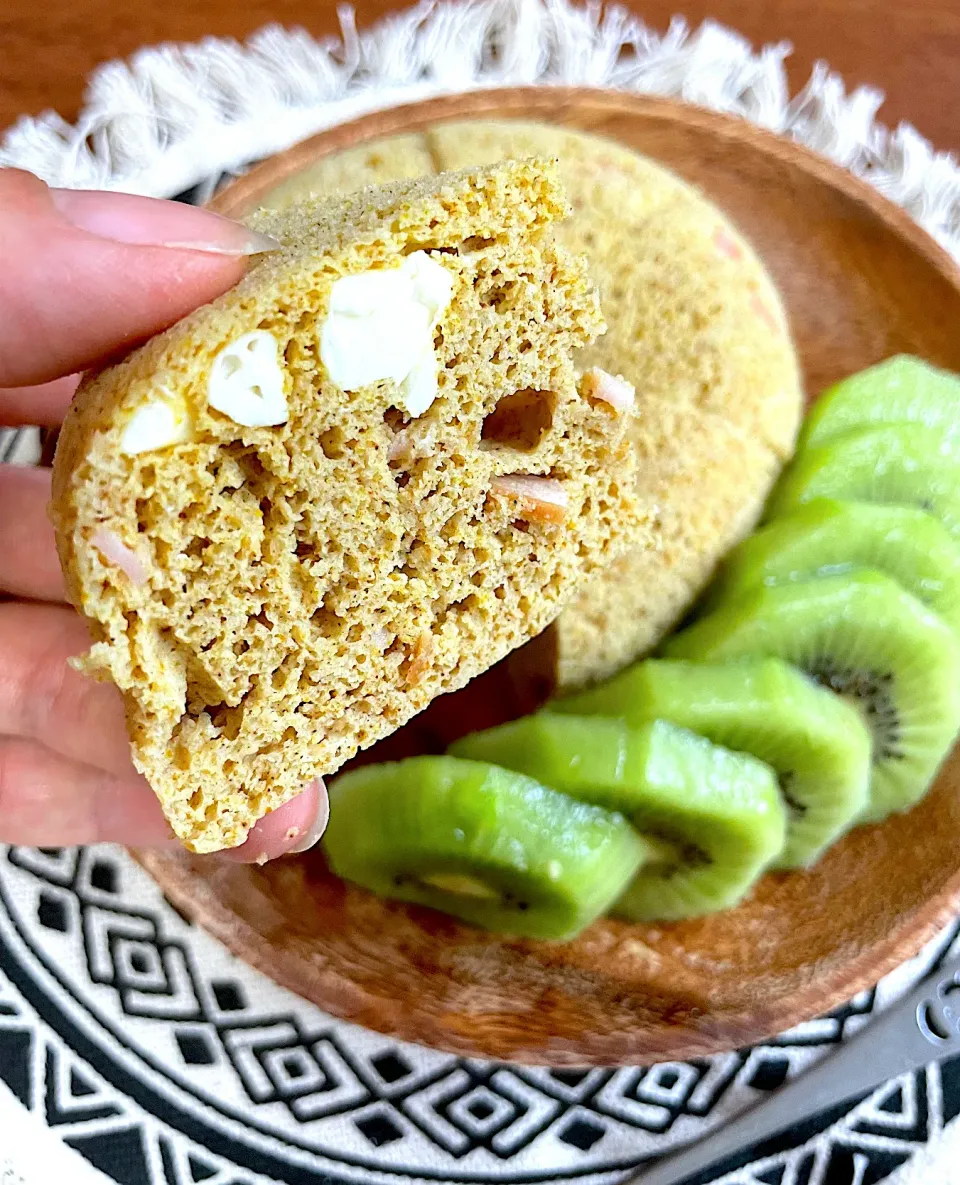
x=484, y=844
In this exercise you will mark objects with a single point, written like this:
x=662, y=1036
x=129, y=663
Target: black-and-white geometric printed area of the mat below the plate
x=163, y=1060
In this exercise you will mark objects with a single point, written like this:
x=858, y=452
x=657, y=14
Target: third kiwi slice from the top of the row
x=829, y=537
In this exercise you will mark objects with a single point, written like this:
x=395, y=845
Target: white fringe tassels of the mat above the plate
x=176, y=117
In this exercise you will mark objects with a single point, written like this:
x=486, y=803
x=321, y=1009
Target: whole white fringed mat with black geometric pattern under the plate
x=133, y=1048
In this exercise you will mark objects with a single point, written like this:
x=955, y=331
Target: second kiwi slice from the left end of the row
x=714, y=817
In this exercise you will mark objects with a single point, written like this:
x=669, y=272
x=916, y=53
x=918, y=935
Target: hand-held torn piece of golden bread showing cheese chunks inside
x=279, y=563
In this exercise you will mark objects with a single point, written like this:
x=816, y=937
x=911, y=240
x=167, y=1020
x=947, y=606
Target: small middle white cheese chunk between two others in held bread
x=247, y=382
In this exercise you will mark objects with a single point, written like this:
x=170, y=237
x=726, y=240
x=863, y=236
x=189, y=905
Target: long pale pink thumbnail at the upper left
x=151, y=222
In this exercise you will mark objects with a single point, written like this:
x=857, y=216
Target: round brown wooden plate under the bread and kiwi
x=861, y=283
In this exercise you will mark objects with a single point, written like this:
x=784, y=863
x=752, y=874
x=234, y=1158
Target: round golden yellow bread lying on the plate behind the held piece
x=695, y=324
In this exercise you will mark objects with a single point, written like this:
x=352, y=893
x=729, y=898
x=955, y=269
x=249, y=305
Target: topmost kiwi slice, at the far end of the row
x=900, y=390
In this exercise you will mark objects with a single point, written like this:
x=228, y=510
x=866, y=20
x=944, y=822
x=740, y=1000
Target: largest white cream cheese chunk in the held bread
x=381, y=326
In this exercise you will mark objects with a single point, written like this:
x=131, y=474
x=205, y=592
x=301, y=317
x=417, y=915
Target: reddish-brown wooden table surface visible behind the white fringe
x=908, y=48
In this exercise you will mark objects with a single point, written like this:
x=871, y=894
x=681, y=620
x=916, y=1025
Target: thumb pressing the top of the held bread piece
x=88, y=274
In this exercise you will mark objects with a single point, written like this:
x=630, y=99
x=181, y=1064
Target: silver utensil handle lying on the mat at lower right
x=923, y=1028
